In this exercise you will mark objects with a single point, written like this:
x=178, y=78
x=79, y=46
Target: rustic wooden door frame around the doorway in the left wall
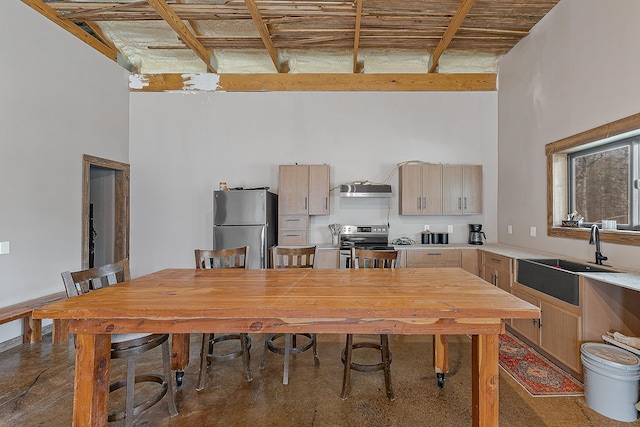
x=121, y=213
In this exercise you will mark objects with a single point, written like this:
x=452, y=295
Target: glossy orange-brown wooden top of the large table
x=183, y=294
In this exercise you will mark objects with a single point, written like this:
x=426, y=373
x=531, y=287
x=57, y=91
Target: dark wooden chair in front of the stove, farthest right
x=362, y=258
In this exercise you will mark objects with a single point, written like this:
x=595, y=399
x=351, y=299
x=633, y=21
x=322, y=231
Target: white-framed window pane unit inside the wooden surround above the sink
x=601, y=183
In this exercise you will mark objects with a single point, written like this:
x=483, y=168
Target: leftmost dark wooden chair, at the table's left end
x=126, y=345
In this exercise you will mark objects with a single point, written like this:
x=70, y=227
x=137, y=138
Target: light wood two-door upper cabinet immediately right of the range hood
x=421, y=189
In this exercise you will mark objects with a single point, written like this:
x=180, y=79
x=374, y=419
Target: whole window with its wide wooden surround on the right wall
x=597, y=174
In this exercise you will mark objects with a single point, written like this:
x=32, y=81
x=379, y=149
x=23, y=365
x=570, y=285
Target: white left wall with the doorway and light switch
x=59, y=99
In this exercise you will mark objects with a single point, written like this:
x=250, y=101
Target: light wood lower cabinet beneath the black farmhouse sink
x=558, y=332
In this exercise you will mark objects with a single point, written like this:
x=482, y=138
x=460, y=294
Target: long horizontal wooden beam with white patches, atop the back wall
x=264, y=82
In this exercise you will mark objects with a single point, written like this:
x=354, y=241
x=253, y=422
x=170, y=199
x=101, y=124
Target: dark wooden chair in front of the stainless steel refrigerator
x=222, y=258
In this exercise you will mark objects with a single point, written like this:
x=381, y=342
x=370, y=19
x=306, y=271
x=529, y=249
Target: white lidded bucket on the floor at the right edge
x=611, y=377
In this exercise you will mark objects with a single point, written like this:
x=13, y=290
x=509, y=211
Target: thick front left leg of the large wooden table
x=91, y=390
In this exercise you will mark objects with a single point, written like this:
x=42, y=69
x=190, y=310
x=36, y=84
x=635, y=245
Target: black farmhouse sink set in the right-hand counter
x=555, y=277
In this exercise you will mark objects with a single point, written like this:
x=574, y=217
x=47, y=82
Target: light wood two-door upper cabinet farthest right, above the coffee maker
x=461, y=189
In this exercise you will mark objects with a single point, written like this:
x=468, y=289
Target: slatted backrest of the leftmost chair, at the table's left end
x=83, y=281
